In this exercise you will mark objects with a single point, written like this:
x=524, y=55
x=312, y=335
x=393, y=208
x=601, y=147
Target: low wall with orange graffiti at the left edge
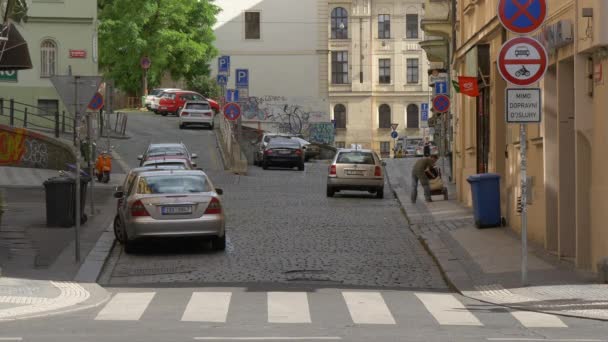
x=22, y=148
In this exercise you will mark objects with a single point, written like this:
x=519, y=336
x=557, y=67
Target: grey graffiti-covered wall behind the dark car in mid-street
x=295, y=115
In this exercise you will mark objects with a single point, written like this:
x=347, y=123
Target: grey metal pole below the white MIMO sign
x=524, y=201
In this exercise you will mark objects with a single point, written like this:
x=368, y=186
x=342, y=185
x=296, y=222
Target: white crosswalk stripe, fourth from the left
x=368, y=308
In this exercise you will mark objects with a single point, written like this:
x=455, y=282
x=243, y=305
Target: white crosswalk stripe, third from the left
x=288, y=307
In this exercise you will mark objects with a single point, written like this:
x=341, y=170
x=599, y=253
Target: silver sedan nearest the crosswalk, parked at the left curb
x=170, y=203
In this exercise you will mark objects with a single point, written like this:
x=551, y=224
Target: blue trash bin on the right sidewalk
x=485, y=189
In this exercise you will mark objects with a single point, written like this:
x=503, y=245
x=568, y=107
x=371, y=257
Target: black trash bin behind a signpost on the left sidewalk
x=60, y=193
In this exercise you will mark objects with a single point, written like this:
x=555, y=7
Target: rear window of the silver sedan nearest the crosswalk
x=172, y=184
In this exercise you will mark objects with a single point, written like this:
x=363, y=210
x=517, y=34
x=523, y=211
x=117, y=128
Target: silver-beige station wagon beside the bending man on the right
x=356, y=170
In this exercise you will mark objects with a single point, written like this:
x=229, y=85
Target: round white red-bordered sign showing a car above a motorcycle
x=522, y=61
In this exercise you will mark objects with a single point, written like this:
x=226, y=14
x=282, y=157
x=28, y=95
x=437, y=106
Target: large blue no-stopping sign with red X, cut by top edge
x=522, y=16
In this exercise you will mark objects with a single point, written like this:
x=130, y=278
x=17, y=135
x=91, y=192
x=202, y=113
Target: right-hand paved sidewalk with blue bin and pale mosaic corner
x=485, y=264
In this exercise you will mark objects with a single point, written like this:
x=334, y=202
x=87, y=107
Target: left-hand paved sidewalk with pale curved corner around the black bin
x=38, y=272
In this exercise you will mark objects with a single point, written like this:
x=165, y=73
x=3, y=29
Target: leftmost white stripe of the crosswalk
x=126, y=306
